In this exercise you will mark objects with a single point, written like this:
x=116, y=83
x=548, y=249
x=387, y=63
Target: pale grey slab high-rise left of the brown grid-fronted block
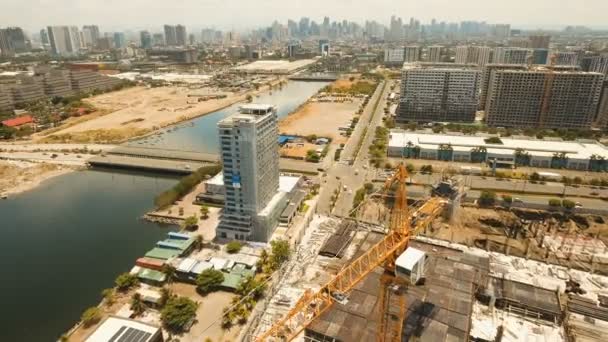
x=438, y=92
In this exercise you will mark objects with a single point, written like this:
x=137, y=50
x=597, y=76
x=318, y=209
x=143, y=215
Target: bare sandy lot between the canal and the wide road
x=320, y=118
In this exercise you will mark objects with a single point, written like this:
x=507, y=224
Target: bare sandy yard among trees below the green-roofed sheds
x=209, y=315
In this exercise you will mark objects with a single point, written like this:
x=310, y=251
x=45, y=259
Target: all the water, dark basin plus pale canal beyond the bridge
x=68, y=239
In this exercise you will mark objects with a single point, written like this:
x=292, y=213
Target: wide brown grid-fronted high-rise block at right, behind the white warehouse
x=516, y=98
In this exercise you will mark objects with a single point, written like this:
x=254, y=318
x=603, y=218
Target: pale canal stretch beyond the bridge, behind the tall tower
x=200, y=134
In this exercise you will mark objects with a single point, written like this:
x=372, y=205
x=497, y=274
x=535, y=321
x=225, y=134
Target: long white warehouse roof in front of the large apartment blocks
x=573, y=149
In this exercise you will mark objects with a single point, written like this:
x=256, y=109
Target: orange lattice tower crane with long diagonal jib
x=402, y=226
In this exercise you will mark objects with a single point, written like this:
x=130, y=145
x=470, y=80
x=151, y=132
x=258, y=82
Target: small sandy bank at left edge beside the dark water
x=17, y=176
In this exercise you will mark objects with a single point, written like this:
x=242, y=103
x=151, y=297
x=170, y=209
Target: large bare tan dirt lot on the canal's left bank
x=135, y=111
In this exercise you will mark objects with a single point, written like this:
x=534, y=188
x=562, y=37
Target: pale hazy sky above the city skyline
x=226, y=14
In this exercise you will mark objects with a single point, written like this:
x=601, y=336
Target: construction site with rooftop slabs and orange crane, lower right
x=434, y=270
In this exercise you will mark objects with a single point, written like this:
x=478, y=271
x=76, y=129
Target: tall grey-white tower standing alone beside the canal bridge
x=250, y=155
